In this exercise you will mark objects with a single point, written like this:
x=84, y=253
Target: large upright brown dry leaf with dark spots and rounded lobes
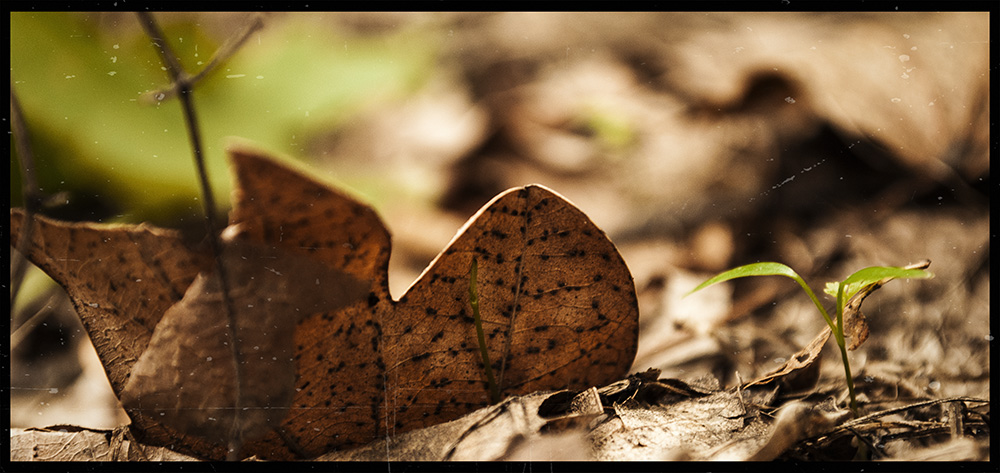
x=558, y=307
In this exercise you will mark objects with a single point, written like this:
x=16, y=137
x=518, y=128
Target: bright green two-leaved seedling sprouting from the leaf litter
x=859, y=284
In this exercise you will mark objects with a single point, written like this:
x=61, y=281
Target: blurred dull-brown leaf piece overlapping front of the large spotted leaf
x=187, y=376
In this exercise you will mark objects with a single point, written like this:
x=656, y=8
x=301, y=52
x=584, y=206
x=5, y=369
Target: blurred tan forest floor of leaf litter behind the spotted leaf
x=698, y=144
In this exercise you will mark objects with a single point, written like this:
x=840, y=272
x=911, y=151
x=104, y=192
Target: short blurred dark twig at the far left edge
x=29, y=189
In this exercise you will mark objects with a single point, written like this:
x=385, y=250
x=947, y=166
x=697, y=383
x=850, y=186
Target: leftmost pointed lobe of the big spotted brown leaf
x=123, y=277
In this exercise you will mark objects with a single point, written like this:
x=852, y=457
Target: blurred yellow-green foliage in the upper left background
x=81, y=77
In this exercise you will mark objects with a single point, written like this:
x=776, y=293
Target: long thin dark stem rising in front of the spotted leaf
x=182, y=86
